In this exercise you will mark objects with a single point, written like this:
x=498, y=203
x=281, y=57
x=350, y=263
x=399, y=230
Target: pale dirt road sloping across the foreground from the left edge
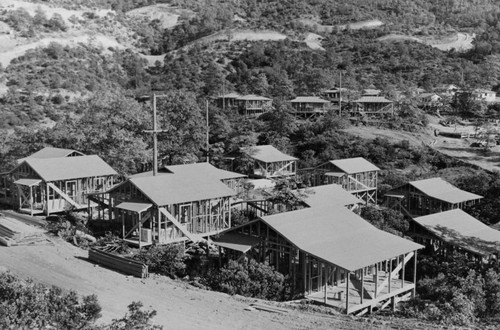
x=179, y=305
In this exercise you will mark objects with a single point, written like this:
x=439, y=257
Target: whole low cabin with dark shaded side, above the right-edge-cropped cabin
x=429, y=196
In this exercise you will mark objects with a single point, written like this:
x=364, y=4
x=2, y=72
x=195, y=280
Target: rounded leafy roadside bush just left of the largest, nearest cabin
x=249, y=279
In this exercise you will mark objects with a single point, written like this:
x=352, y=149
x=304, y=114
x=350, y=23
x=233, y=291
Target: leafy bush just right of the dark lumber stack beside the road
x=165, y=260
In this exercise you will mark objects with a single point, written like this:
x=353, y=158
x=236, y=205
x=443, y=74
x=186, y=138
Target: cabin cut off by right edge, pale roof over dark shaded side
x=455, y=230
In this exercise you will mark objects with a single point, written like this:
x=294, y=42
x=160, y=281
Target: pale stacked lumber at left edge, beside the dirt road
x=14, y=232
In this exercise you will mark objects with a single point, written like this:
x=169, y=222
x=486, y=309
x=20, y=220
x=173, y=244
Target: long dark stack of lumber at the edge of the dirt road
x=116, y=262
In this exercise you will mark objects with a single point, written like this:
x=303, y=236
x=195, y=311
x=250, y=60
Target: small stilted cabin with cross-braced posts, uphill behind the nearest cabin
x=356, y=175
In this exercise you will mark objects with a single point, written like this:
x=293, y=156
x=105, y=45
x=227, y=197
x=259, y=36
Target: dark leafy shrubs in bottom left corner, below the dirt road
x=25, y=304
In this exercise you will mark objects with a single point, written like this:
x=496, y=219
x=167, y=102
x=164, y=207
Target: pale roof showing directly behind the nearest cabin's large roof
x=330, y=194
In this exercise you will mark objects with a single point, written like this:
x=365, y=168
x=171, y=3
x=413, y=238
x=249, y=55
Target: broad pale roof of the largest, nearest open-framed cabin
x=338, y=236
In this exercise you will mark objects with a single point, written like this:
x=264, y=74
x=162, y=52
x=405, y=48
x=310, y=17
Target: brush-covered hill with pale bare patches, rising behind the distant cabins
x=55, y=52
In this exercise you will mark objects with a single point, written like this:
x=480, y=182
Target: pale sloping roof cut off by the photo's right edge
x=459, y=228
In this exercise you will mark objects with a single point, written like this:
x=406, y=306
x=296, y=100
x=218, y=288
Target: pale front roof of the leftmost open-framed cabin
x=54, y=169
